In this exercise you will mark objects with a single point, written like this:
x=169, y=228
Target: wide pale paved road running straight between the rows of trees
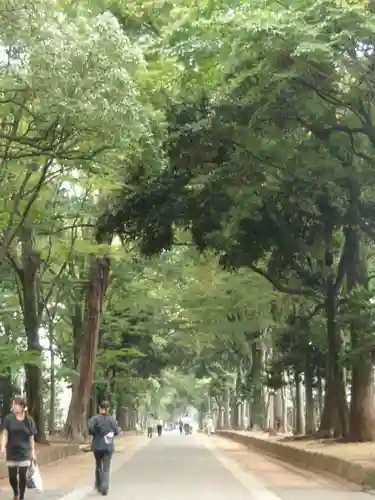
x=176, y=467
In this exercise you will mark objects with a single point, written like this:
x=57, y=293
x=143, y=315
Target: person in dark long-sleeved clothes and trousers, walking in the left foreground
x=103, y=428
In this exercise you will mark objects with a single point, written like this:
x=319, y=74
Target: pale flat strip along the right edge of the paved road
x=249, y=481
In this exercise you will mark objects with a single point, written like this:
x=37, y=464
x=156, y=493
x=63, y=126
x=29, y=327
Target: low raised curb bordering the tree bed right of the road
x=351, y=472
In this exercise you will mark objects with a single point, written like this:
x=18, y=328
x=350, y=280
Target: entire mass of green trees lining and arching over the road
x=187, y=216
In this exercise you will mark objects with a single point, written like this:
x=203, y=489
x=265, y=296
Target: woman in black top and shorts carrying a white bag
x=17, y=442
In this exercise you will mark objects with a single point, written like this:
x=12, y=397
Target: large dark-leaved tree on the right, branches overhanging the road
x=256, y=209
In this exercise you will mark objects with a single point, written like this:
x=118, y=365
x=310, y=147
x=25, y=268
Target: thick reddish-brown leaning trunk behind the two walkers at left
x=75, y=426
